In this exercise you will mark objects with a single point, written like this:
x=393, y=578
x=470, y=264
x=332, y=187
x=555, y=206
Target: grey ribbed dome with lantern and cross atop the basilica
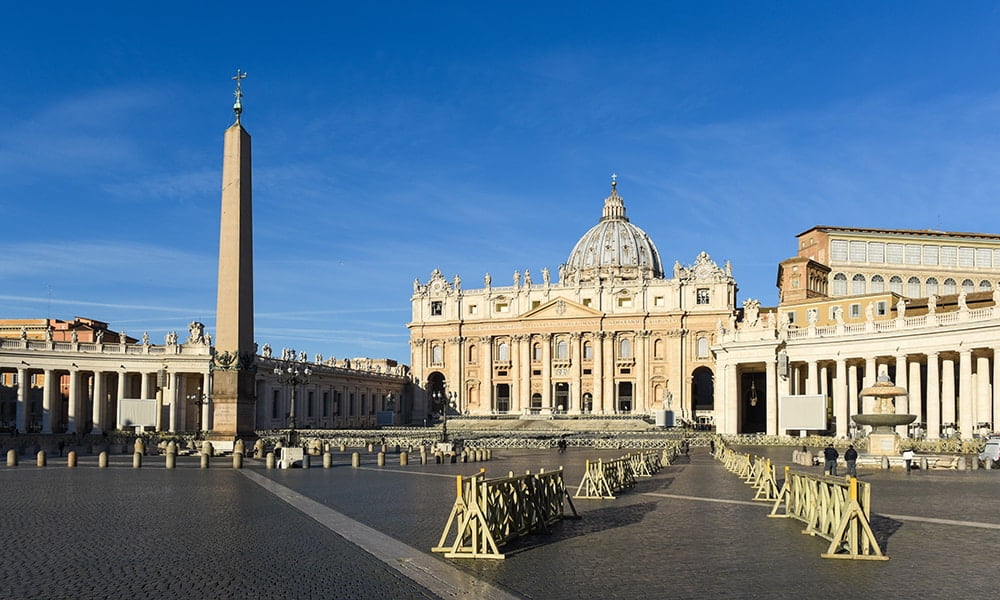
x=614, y=248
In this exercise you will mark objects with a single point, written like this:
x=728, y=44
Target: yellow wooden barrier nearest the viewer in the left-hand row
x=488, y=513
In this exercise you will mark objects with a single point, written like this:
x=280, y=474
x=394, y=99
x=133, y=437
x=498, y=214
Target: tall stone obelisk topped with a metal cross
x=234, y=354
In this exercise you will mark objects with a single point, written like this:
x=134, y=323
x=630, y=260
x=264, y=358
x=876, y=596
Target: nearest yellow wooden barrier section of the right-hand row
x=834, y=509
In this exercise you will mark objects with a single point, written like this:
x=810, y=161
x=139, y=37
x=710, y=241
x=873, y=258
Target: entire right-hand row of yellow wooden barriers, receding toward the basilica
x=832, y=508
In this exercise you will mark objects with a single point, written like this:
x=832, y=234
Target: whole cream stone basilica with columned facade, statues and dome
x=611, y=334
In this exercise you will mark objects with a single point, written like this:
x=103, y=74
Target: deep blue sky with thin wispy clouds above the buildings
x=390, y=139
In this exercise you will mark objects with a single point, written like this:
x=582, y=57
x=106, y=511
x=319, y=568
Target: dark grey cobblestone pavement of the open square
x=691, y=531
